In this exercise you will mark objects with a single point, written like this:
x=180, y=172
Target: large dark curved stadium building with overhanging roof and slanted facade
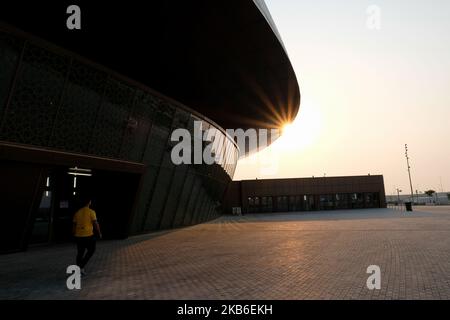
x=92, y=110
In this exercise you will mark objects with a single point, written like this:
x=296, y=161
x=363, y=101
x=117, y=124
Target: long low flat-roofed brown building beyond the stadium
x=306, y=194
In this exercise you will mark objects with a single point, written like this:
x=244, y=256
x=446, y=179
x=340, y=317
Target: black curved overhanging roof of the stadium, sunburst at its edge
x=224, y=59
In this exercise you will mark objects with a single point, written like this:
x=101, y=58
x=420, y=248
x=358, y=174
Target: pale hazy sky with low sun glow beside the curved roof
x=366, y=92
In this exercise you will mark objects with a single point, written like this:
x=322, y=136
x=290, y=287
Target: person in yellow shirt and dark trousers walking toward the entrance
x=84, y=222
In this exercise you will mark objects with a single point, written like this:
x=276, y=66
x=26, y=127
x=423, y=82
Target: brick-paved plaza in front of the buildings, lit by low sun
x=316, y=255
